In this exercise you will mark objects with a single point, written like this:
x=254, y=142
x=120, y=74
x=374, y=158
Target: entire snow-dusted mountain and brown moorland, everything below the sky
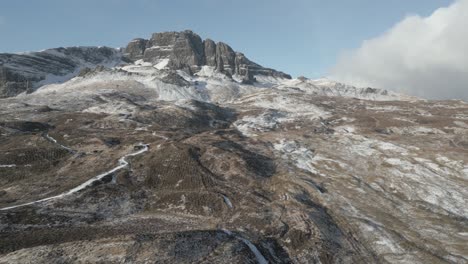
x=180, y=150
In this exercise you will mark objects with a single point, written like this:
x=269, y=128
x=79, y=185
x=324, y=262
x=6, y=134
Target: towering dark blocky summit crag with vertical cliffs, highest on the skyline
x=187, y=51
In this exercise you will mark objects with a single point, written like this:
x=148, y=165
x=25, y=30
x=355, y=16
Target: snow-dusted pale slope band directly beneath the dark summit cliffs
x=158, y=82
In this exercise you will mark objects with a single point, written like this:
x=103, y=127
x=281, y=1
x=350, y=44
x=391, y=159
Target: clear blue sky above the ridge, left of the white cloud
x=300, y=37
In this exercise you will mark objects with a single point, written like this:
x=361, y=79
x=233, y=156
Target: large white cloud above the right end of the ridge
x=422, y=56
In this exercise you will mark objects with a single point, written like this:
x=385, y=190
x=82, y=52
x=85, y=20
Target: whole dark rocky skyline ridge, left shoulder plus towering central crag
x=179, y=50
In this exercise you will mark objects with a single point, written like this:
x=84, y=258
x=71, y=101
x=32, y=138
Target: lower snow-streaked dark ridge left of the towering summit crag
x=22, y=72
